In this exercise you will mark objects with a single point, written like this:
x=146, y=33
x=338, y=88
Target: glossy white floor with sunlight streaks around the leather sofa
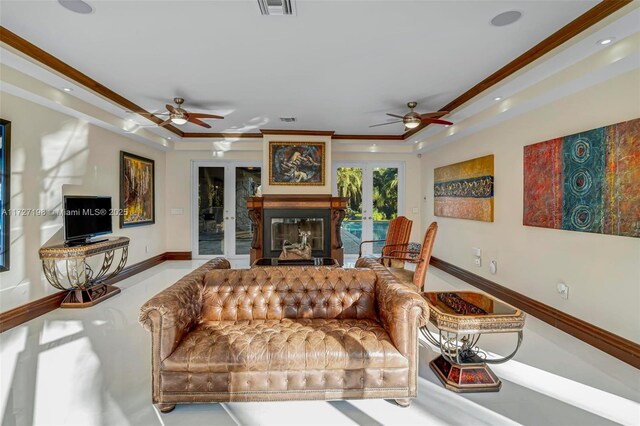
x=92, y=367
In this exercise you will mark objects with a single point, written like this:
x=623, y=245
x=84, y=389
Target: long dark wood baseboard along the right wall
x=619, y=347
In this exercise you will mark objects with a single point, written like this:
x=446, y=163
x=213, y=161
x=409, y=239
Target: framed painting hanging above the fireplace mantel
x=296, y=163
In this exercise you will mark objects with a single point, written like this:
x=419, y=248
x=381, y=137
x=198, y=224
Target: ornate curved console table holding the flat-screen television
x=85, y=287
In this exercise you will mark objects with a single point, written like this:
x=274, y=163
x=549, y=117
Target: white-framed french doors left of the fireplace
x=220, y=220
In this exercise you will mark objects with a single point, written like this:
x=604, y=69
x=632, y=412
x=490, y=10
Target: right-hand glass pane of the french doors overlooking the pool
x=385, y=202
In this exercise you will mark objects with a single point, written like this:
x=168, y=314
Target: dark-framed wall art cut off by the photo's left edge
x=5, y=193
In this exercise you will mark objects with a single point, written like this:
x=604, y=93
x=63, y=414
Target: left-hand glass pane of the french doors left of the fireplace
x=211, y=210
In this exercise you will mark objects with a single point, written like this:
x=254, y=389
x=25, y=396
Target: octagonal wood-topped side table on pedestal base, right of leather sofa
x=461, y=317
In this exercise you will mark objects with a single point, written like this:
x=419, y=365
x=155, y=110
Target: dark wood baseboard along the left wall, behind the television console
x=28, y=311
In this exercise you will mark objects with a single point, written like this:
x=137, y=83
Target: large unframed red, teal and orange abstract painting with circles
x=588, y=182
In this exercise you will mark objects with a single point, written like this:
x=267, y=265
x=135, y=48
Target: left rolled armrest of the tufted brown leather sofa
x=170, y=314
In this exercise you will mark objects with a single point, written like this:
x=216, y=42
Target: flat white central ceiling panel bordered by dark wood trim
x=337, y=65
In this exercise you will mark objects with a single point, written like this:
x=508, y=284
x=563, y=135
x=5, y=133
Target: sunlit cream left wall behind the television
x=53, y=154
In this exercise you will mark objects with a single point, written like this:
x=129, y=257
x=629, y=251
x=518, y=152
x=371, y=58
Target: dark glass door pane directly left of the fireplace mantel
x=247, y=182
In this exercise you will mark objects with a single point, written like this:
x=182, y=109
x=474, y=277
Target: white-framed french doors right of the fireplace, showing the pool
x=376, y=195
